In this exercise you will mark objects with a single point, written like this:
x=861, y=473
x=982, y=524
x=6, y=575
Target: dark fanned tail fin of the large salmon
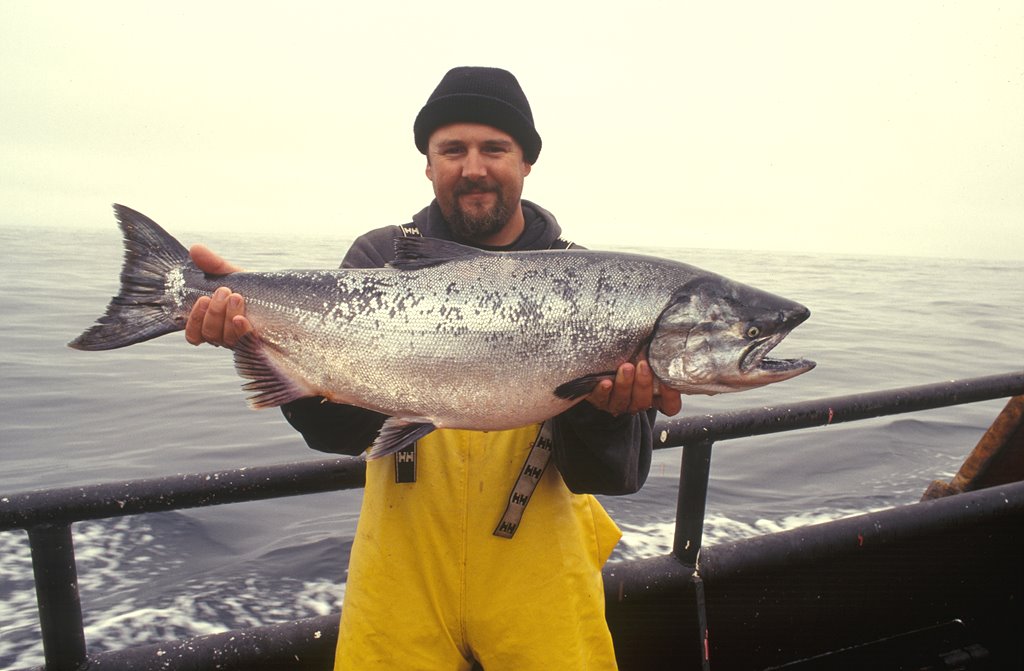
x=149, y=305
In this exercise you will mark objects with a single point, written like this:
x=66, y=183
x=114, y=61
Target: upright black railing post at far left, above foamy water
x=57, y=593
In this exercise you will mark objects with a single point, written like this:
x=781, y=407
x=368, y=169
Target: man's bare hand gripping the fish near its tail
x=219, y=320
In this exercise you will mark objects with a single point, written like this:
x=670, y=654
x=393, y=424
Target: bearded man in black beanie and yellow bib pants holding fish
x=449, y=566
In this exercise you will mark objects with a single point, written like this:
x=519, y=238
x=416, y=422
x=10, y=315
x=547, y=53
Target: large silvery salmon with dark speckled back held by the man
x=452, y=337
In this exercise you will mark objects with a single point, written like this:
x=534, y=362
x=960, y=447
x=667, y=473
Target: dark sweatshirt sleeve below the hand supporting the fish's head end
x=599, y=453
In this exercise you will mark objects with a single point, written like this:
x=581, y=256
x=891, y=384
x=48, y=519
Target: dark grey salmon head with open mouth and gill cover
x=715, y=335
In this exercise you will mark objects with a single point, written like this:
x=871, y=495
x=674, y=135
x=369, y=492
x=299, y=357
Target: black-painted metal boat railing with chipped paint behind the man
x=49, y=516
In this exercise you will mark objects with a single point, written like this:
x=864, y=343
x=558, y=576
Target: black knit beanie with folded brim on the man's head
x=486, y=96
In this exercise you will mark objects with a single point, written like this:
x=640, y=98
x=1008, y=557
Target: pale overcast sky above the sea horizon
x=869, y=128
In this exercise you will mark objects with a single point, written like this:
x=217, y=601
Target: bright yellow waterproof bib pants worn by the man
x=432, y=589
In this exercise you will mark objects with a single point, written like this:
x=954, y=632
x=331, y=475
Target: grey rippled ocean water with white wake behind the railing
x=160, y=408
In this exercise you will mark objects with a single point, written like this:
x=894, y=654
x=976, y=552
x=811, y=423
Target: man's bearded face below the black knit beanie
x=478, y=173
